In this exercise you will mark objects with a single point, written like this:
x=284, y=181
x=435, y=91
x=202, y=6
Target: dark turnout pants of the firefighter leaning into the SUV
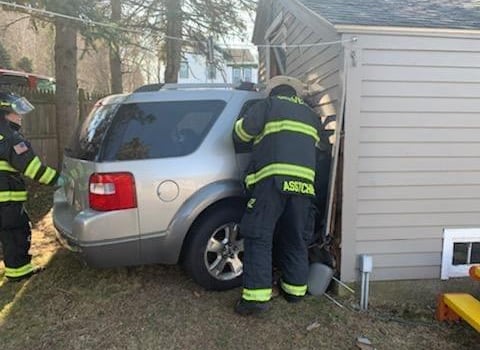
x=267, y=207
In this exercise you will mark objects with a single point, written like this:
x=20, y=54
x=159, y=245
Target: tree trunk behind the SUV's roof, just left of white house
x=173, y=46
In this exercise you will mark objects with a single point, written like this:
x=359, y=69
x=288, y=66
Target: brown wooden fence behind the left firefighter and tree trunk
x=39, y=126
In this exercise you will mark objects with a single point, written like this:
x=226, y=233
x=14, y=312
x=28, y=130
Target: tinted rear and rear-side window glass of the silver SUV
x=146, y=130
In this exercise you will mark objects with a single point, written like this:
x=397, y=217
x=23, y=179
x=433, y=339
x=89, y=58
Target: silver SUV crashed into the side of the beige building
x=154, y=177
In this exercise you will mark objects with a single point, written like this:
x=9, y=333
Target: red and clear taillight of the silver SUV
x=112, y=191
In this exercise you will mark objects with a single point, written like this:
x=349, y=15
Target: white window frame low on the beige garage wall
x=450, y=237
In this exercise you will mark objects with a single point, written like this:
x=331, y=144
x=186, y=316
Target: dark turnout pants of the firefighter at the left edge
x=15, y=236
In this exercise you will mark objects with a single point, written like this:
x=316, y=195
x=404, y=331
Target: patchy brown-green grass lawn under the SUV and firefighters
x=73, y=306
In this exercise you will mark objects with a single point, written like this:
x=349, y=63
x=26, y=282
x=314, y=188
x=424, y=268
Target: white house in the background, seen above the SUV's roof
x=236, y=65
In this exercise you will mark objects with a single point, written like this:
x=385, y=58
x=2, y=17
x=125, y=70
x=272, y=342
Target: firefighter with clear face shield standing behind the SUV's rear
x=17, y=158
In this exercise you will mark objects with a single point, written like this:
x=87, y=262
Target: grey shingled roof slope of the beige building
x=455, y=14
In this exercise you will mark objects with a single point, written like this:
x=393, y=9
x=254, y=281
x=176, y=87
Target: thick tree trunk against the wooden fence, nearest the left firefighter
x=66, y=100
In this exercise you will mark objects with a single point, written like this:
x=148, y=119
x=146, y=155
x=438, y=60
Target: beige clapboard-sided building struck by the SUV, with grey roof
x=405, y=75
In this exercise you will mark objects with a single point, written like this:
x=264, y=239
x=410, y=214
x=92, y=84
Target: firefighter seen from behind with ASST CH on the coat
x=284, y=132
